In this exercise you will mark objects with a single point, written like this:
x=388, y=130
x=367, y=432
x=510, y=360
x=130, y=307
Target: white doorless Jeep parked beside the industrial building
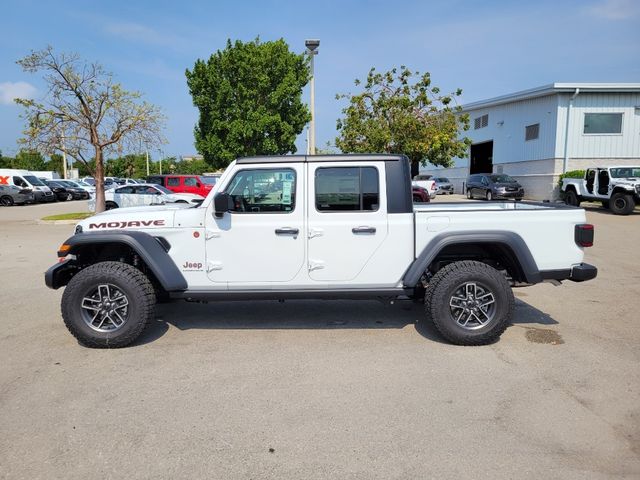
x=618, y=188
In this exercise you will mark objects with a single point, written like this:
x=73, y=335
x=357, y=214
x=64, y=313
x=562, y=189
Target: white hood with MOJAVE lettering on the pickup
x=133, y=218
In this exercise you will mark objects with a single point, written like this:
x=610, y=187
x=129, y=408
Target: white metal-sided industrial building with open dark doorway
x=537, y=134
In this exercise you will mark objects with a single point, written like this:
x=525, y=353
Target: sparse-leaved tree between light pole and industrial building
x=401, y=112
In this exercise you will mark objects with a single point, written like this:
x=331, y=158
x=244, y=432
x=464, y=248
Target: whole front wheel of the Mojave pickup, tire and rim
x=107, y=305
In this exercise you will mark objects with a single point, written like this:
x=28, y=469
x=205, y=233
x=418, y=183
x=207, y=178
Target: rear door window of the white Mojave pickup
x=347, y=189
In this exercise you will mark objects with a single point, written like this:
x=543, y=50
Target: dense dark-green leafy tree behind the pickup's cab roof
x=249, y=99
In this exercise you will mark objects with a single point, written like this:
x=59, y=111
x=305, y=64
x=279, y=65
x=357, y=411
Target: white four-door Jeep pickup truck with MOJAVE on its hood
x=335, y=226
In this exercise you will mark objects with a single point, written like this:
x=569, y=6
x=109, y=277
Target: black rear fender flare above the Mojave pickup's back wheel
x=492, y=237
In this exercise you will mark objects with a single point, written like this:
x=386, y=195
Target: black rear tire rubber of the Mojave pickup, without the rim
x=447, y=281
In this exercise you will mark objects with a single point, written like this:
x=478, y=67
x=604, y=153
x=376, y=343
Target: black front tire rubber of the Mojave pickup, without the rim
x=131, y=282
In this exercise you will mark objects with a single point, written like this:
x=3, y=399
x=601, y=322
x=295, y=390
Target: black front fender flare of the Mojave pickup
x=153, y=251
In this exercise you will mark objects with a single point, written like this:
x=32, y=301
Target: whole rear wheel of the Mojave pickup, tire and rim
x=470, y=303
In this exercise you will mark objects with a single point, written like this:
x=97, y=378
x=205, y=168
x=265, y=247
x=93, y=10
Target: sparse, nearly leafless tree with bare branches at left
x=85, y=112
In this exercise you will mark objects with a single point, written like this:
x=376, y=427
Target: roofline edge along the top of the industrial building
x=552, y=89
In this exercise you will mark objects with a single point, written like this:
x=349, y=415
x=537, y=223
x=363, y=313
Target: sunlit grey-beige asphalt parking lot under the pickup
x=311, y=389
